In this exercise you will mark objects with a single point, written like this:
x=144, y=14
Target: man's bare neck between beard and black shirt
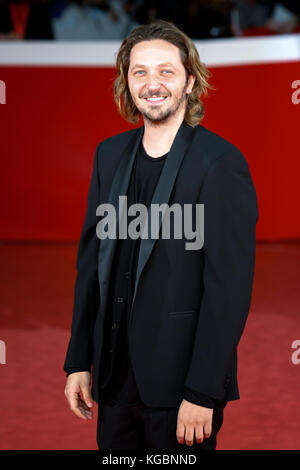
x=158, y=137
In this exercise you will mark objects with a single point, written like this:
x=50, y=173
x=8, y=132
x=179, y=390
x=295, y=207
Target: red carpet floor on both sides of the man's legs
x=37, y=282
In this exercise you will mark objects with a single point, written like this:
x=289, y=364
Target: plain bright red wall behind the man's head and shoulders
x=55, y=116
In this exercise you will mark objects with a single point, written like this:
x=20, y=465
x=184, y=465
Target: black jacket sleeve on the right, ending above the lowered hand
x=230, y=217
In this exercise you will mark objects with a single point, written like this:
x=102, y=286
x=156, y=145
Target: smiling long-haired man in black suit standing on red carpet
x=158, y=322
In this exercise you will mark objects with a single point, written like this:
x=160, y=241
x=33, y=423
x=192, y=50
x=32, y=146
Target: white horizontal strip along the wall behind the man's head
x=213, y=52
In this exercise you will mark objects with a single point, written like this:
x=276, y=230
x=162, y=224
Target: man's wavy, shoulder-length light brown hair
x=167, y=31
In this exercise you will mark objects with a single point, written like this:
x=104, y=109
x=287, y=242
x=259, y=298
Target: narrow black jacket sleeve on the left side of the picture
x=86, y=295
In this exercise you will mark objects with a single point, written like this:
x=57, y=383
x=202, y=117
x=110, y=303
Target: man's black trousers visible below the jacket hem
x=142, y=428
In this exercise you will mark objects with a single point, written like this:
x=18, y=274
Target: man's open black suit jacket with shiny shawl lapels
x=188, y=335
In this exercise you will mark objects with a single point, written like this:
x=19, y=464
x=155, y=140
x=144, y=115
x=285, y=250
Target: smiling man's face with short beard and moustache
x=157, y=80
